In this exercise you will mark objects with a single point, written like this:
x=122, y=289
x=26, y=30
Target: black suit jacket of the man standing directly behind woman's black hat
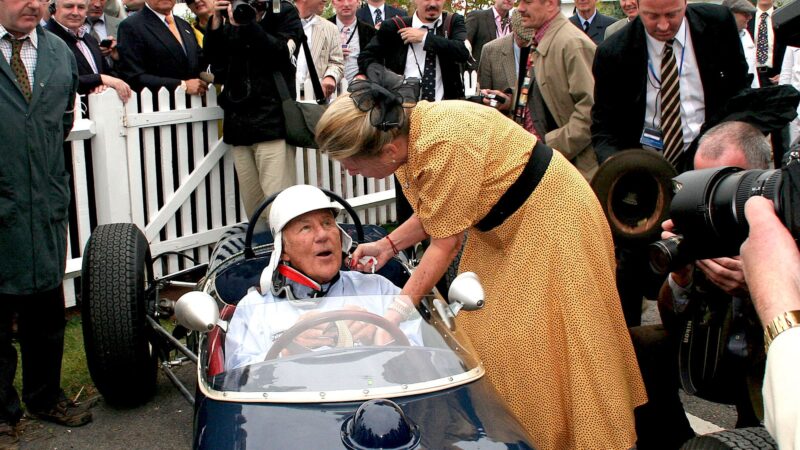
x=388, y=49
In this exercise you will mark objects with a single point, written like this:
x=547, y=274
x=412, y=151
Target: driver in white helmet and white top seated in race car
x=303, y=279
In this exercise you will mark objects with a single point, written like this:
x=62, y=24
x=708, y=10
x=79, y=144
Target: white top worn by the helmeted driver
x=260, y=320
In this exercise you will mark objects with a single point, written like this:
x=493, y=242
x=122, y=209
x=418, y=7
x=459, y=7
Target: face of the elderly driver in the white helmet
x=312, y=244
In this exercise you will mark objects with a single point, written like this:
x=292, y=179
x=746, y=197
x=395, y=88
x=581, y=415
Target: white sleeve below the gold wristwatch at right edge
x=782, y=391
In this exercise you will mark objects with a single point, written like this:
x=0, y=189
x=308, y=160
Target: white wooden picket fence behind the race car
x=167, y=170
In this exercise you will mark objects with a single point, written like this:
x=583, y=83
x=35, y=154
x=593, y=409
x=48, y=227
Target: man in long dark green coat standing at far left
x=38, y=80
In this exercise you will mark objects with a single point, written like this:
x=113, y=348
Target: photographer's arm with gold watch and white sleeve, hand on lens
x=775, y=289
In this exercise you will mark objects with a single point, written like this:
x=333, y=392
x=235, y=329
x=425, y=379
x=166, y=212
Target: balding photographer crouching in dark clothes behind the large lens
x=703, y=306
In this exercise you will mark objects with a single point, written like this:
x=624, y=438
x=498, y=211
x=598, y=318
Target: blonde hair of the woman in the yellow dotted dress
x=344, y=131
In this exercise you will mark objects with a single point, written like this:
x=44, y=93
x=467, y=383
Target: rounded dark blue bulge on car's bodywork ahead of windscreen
x=379, y=424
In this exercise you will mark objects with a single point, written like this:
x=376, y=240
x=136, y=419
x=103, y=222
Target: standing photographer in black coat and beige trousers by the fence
x=244, y=57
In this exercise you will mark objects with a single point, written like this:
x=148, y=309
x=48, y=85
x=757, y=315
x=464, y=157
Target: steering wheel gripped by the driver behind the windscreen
x=333, y=316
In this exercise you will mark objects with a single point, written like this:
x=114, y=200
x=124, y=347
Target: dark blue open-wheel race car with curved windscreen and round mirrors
x=425, y=389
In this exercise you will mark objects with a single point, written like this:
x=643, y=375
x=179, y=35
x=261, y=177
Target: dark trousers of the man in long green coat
x=40, y=331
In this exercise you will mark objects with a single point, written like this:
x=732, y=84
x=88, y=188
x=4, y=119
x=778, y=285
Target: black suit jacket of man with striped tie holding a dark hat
x=620, y=73
